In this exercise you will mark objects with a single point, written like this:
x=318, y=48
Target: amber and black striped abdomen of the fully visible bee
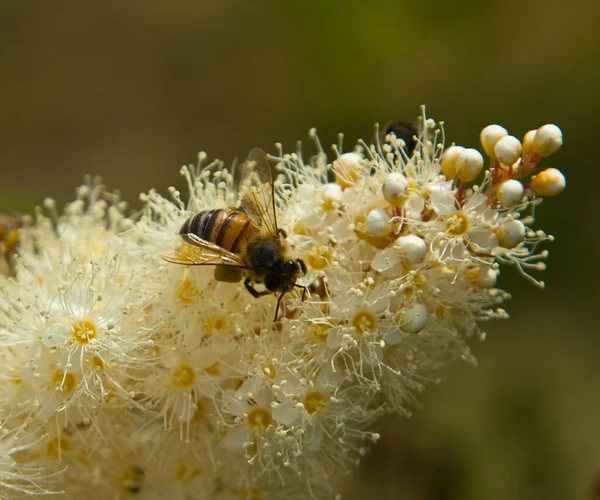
x=225, y=227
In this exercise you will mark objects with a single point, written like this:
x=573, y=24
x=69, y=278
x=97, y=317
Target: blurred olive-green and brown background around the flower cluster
x=133, y=90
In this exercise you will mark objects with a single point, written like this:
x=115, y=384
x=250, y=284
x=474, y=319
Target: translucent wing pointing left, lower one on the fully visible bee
x=198, y=252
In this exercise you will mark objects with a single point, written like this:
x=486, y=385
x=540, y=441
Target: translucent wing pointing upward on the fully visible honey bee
x=255, y=185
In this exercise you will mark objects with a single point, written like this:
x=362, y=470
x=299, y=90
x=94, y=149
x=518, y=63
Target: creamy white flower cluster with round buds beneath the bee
x=123, y=375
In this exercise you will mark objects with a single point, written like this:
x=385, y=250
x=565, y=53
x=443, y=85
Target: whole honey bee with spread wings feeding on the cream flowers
x=245, y=240
